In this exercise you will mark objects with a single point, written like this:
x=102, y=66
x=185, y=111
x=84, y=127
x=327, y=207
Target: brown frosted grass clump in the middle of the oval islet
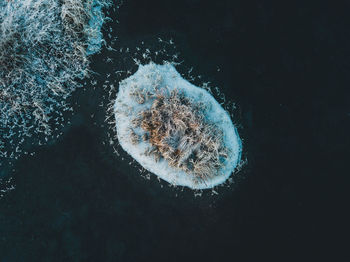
x=178, y=131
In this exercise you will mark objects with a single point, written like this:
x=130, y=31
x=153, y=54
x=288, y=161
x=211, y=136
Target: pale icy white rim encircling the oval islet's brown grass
x=153, y=77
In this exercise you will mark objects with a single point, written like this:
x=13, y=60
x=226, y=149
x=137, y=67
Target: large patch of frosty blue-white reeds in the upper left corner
x=44, y=49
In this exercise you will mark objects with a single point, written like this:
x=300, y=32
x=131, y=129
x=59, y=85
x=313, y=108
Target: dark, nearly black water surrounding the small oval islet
x=285, y=64
